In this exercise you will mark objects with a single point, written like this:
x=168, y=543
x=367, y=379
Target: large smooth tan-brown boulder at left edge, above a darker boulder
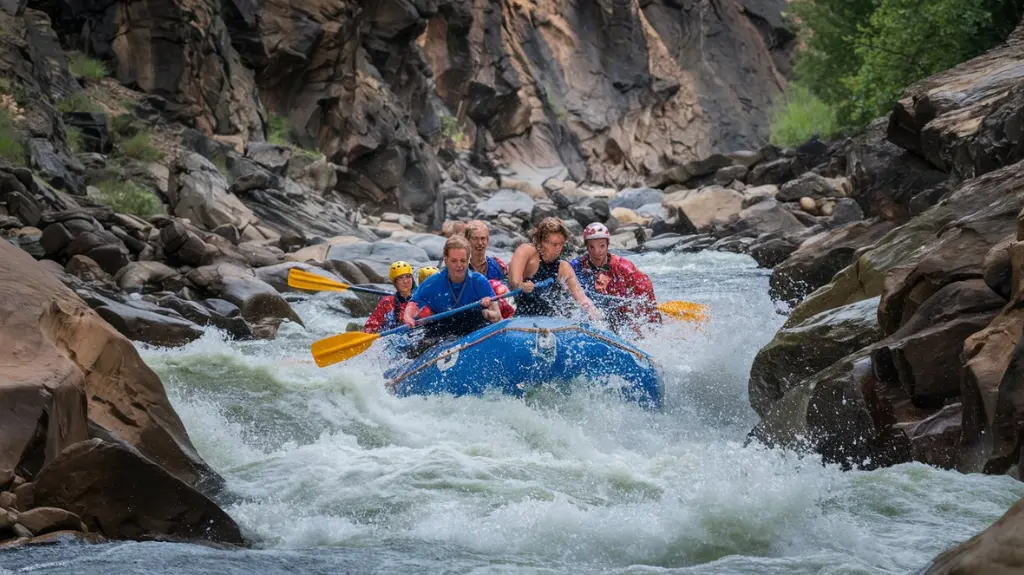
x=70, y=368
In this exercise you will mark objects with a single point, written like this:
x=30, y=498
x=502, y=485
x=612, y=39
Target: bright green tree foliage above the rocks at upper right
x=860, y=56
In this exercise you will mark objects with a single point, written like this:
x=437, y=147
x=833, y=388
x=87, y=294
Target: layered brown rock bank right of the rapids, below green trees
x=928, y=373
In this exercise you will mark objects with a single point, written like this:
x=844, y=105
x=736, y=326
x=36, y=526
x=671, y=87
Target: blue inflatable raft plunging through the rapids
x=520, y=355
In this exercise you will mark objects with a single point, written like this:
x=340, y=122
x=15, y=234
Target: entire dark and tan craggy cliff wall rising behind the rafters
x=610, y=92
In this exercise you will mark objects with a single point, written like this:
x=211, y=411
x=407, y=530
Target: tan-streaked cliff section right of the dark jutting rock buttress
x=609, y=92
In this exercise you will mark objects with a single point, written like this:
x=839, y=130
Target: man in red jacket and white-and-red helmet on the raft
x=602, y=274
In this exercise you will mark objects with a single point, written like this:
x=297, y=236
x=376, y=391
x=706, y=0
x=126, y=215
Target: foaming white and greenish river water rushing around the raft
x=333, y=475
